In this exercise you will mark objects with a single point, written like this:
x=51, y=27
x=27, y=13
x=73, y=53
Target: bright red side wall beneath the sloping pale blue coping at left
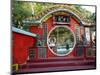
x=20, y=45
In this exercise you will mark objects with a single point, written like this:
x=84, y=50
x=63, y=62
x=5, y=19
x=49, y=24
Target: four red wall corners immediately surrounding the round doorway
x=73, y=22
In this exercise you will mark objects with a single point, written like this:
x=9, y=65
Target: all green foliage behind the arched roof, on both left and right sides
x=22, y=10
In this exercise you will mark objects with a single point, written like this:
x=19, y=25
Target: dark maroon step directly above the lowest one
x=56, y=64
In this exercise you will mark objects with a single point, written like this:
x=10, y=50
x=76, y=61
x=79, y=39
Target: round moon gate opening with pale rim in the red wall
x=61, y=40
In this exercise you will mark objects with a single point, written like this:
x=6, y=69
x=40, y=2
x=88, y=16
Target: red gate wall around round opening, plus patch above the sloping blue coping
x=49, y=22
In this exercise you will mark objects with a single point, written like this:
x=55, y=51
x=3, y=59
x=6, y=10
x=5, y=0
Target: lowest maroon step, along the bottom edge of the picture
x=54, y=69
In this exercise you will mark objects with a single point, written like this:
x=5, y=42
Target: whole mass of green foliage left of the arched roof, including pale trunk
x=23, y=10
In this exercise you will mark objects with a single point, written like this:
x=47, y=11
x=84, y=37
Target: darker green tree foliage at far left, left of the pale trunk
x=20, y=10
